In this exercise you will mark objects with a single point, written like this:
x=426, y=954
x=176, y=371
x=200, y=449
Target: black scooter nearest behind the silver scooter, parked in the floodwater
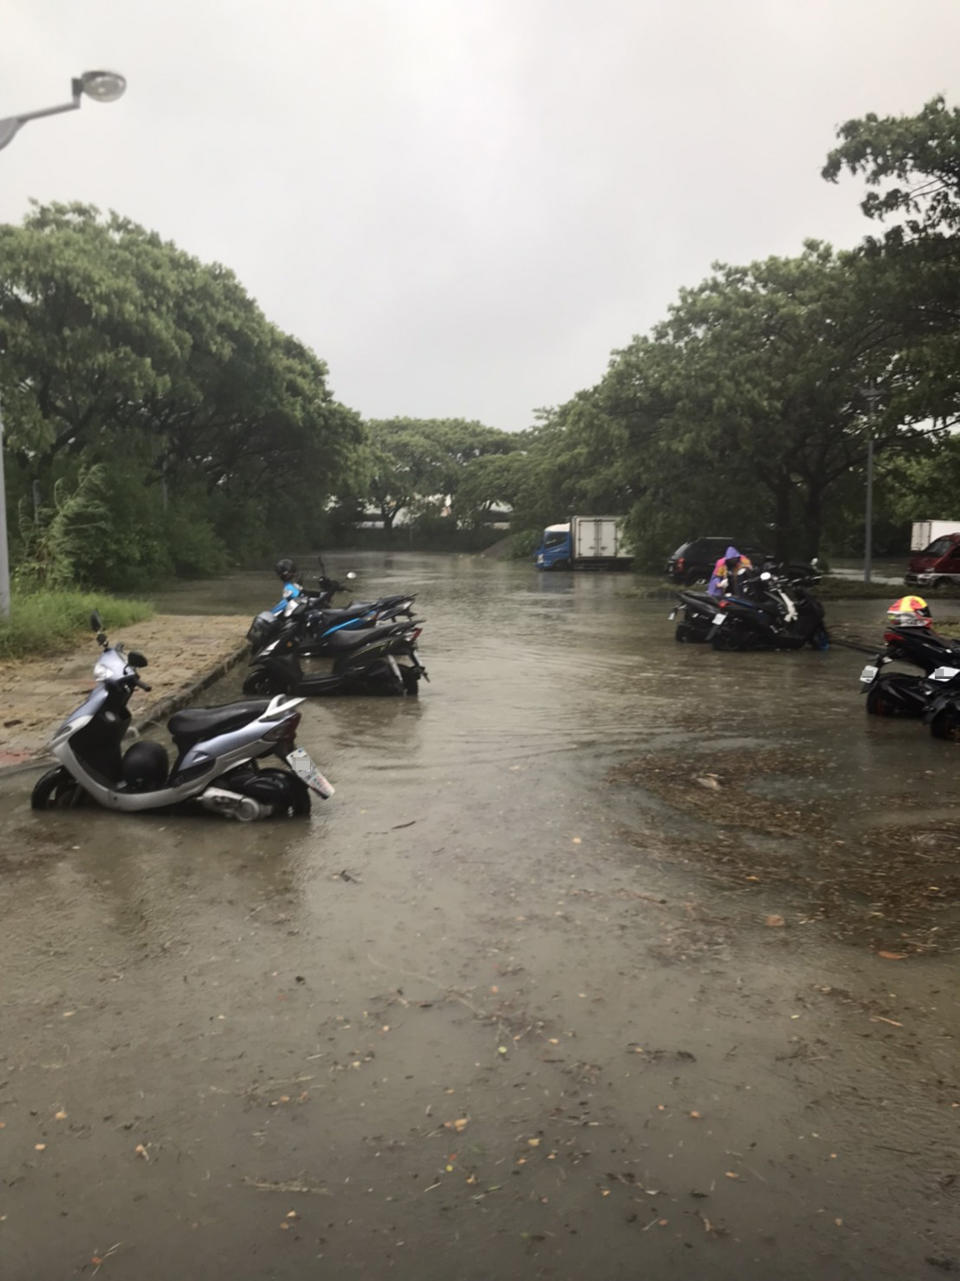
x=380, y=659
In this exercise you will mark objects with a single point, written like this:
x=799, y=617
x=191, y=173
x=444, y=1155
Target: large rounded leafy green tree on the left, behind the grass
x=124, y=352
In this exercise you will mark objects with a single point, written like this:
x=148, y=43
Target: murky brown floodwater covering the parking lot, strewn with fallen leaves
x=609, y=959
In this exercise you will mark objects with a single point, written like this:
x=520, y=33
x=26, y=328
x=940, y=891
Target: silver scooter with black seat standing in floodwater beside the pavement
x=219, y=754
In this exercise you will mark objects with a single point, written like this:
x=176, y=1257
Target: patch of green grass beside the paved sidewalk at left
x=46, y=623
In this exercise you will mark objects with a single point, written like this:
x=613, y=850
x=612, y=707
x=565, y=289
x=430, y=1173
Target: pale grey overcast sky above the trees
x=466, y=206
